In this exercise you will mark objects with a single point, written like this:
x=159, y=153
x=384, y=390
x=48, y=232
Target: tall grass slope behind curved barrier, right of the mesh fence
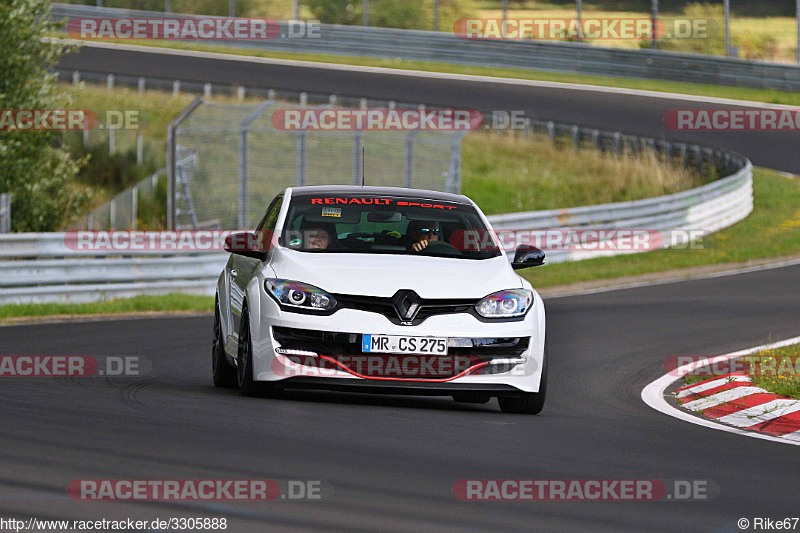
x=513, y=173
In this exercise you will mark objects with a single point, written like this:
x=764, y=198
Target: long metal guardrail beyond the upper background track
x=528, y=54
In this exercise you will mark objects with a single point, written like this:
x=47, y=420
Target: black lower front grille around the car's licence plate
x=345, y=348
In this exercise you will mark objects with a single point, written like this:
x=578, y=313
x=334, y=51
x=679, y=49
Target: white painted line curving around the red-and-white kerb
x=653, y=395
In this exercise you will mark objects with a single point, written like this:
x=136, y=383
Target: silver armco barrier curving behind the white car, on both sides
x=75, y=279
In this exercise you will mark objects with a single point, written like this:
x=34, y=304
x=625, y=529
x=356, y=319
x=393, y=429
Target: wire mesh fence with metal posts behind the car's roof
x=238, y=160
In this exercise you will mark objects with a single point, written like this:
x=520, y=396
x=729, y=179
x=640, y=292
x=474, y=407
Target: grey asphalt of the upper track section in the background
x=630, y=113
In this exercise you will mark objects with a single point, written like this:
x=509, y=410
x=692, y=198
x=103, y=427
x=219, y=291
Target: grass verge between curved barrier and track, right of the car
x=771, y=230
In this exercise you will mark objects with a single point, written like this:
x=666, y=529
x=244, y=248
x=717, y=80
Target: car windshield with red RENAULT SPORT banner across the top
x=369, y=224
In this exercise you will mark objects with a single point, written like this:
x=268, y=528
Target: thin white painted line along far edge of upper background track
x=436, y=75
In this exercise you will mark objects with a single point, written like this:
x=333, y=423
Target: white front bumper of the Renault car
x=270, y=366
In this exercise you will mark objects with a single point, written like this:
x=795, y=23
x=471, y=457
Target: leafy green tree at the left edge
x=34, y=167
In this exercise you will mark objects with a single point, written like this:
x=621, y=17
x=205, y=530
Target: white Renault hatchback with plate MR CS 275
x=379, y=289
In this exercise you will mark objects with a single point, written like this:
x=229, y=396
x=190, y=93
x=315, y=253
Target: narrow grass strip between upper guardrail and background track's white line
x=738, y=93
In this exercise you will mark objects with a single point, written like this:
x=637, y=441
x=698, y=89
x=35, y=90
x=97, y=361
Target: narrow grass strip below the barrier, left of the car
x=166, y=303
